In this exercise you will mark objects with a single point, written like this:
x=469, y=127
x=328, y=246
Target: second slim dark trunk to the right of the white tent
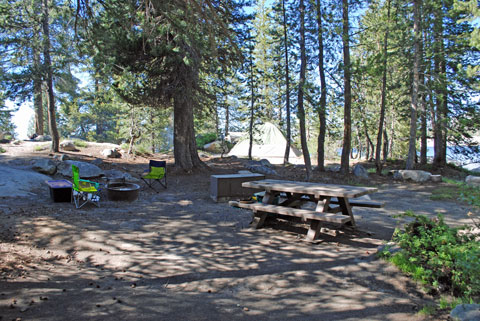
x=322, y=111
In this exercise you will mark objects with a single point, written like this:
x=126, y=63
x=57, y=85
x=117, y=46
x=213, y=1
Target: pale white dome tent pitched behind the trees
x=268, y=143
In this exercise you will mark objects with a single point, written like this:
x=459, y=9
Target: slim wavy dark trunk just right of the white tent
x=301, y=84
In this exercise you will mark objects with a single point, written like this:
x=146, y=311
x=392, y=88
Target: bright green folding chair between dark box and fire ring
x=84, y=191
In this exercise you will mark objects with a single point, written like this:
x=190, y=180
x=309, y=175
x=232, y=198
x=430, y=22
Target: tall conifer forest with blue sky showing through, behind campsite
x=375, y=79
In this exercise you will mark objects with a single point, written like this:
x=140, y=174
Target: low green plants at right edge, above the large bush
x=457, y=191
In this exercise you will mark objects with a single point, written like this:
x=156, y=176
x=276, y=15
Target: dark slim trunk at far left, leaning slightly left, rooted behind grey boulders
x=48, y=67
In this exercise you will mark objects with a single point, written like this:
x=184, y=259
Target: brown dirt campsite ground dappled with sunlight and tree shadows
x=177, y=255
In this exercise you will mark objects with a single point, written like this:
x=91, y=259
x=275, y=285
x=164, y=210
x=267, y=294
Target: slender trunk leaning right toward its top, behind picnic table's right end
x=381, y=123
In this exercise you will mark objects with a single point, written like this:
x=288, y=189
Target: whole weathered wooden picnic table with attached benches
x=288, y=196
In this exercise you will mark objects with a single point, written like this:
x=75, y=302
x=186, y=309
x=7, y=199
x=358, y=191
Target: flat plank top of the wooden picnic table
x=309, y=188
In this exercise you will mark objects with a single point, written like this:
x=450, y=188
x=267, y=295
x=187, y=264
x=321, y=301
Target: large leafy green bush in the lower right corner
x=438, y=256
